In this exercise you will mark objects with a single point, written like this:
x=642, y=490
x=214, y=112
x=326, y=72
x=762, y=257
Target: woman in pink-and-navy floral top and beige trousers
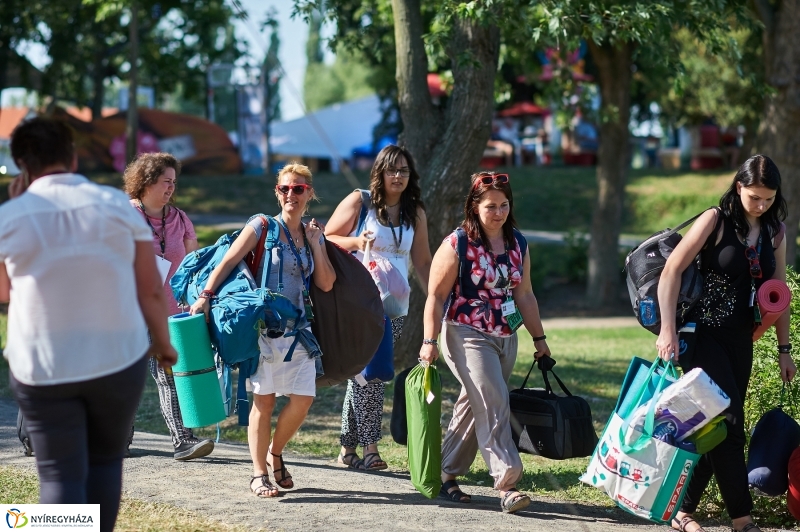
x=478, y=341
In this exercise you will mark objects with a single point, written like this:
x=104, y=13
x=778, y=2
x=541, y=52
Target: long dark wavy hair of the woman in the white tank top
x=411, y=198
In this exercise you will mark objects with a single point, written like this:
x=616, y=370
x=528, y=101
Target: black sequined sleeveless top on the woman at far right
x=726, y=290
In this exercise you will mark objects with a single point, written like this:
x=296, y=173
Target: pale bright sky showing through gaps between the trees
x=293, y=34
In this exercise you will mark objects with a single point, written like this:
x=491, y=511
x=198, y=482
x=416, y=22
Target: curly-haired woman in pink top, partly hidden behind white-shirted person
x=150, y=181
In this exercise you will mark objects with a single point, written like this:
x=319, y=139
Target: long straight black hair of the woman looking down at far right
x=758, y=170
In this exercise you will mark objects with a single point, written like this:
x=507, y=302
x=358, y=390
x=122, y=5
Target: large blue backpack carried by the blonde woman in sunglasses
x=241, y=309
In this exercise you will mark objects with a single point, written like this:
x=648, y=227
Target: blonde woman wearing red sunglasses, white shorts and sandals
x=299, y=259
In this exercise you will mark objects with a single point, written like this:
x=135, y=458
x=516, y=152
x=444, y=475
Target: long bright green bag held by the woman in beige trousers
x=424, y=410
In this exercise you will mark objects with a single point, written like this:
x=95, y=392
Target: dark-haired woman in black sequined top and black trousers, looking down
x=739, y=258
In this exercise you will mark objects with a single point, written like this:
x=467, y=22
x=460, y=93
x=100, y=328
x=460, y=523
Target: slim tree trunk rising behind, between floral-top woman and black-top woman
x=614, y=68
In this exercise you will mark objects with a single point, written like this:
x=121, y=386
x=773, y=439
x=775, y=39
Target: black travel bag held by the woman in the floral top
x=548, y=425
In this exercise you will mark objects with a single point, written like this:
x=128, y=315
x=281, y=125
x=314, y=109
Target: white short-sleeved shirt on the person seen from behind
x=68, y=246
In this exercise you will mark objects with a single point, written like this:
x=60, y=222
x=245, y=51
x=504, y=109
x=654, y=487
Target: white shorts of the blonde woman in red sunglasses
x=274, y=376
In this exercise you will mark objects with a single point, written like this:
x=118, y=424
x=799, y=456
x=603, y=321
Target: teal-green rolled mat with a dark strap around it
x=195, y=375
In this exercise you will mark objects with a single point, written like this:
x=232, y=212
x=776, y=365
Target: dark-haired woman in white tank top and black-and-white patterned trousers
x=397, y=227
